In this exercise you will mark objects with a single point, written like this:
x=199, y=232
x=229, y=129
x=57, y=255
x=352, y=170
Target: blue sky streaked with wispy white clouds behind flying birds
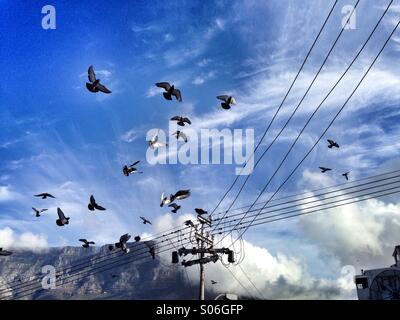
x=58, y=137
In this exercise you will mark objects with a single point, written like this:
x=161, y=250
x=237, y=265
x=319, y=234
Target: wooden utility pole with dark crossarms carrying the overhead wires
x=205, y=245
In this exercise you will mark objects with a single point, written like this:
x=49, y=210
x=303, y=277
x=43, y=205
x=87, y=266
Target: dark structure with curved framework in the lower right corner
x=380, y=284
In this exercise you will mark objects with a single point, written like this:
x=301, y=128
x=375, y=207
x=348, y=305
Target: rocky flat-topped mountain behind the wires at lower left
x=144, y=279
